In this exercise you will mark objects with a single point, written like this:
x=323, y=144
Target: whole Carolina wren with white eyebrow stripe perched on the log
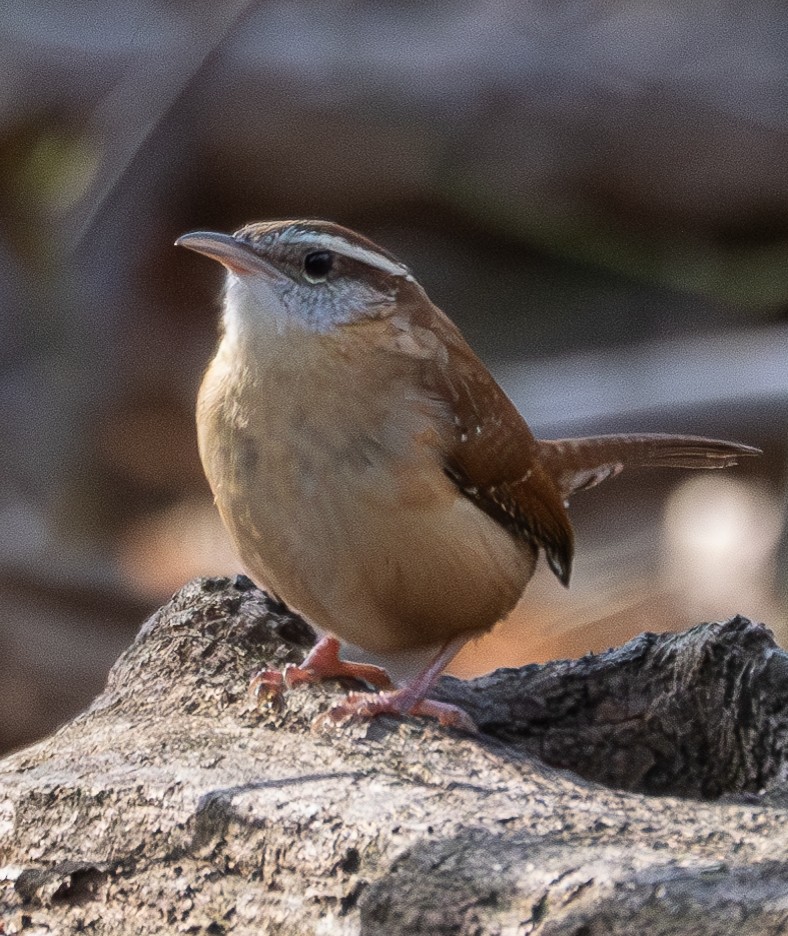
x=371, y=472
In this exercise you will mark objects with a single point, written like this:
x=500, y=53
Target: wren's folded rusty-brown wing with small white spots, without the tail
x=490, y=453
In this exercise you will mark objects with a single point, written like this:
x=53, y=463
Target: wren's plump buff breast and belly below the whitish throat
x=327, y=468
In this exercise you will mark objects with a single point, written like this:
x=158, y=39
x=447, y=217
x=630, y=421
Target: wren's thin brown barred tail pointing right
x=579, y=464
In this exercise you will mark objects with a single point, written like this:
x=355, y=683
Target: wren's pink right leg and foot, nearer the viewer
x=409, y=700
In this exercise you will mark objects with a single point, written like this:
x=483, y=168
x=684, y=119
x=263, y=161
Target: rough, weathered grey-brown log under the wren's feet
x=173, y=806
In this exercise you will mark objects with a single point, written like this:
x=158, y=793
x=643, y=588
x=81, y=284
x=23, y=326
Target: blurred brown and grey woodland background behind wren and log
x=596, y=193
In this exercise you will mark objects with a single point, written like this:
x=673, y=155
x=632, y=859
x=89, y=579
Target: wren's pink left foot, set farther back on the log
x=322, y=662
